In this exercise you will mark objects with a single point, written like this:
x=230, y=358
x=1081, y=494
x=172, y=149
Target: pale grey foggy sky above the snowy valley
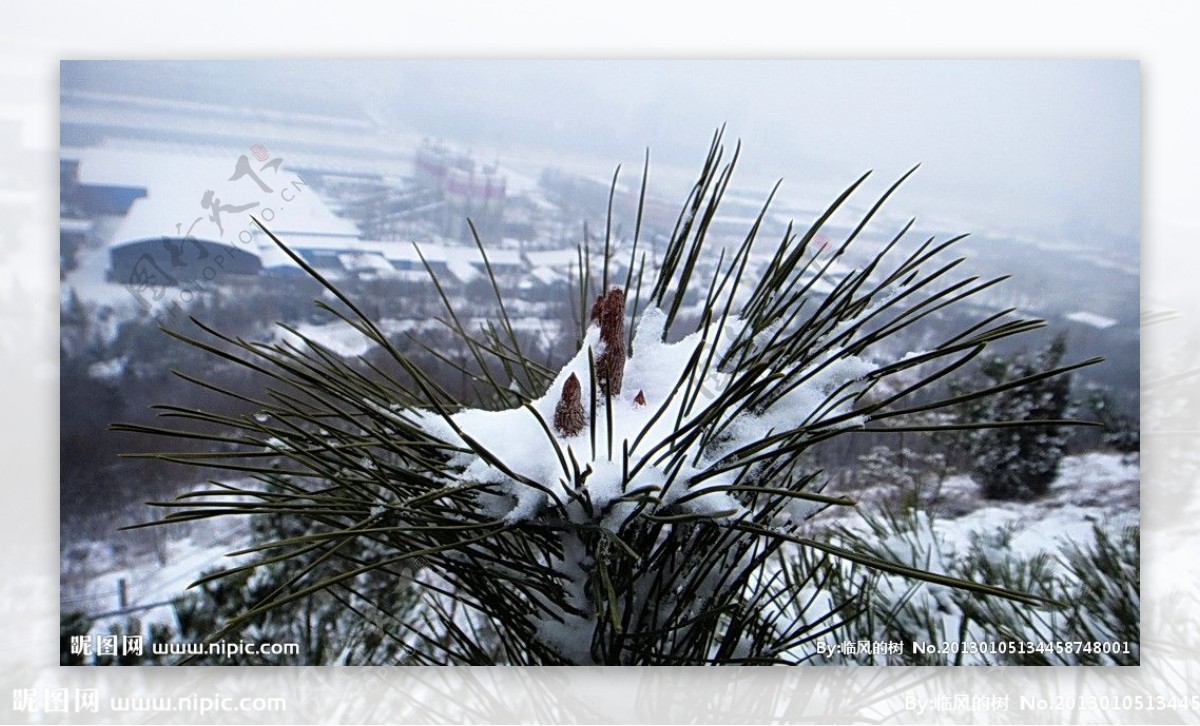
x=1047, y=147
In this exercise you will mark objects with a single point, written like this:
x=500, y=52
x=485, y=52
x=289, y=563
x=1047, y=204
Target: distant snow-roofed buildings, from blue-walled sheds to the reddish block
x=176, y=218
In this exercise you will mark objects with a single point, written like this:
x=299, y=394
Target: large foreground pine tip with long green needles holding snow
x=631, y=506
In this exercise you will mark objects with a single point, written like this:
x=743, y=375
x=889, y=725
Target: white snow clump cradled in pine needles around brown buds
x=525, y=448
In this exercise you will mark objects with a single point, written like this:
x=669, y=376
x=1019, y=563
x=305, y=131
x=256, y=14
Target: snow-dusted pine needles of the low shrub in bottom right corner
x=1089, y=609
